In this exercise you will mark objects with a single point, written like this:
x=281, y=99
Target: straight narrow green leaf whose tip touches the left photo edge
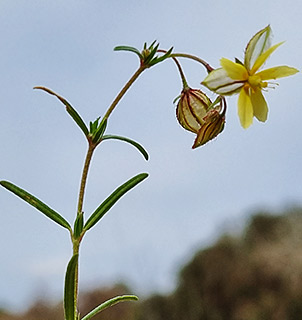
x=35, y=202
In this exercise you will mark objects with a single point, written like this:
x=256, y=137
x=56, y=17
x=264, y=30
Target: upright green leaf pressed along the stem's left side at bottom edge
x=70, y=288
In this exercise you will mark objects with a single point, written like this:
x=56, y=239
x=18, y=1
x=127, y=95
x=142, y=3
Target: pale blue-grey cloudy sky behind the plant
x=191, y=195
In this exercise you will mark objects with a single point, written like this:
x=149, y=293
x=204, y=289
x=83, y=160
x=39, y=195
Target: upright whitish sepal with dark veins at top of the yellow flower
x=259, y=43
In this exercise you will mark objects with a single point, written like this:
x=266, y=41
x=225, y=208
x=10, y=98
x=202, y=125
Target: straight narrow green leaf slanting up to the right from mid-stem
x=112, y=199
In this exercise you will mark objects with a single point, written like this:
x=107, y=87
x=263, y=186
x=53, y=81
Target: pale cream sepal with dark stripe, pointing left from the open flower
x=219, y=82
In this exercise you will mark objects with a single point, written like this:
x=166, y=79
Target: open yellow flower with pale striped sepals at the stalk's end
x=246, y=79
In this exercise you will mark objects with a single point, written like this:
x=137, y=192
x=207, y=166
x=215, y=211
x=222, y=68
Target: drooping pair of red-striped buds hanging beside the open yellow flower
x=196, y=113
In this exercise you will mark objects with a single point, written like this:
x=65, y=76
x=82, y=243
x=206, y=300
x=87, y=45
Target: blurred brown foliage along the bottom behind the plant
x=256, y=274
